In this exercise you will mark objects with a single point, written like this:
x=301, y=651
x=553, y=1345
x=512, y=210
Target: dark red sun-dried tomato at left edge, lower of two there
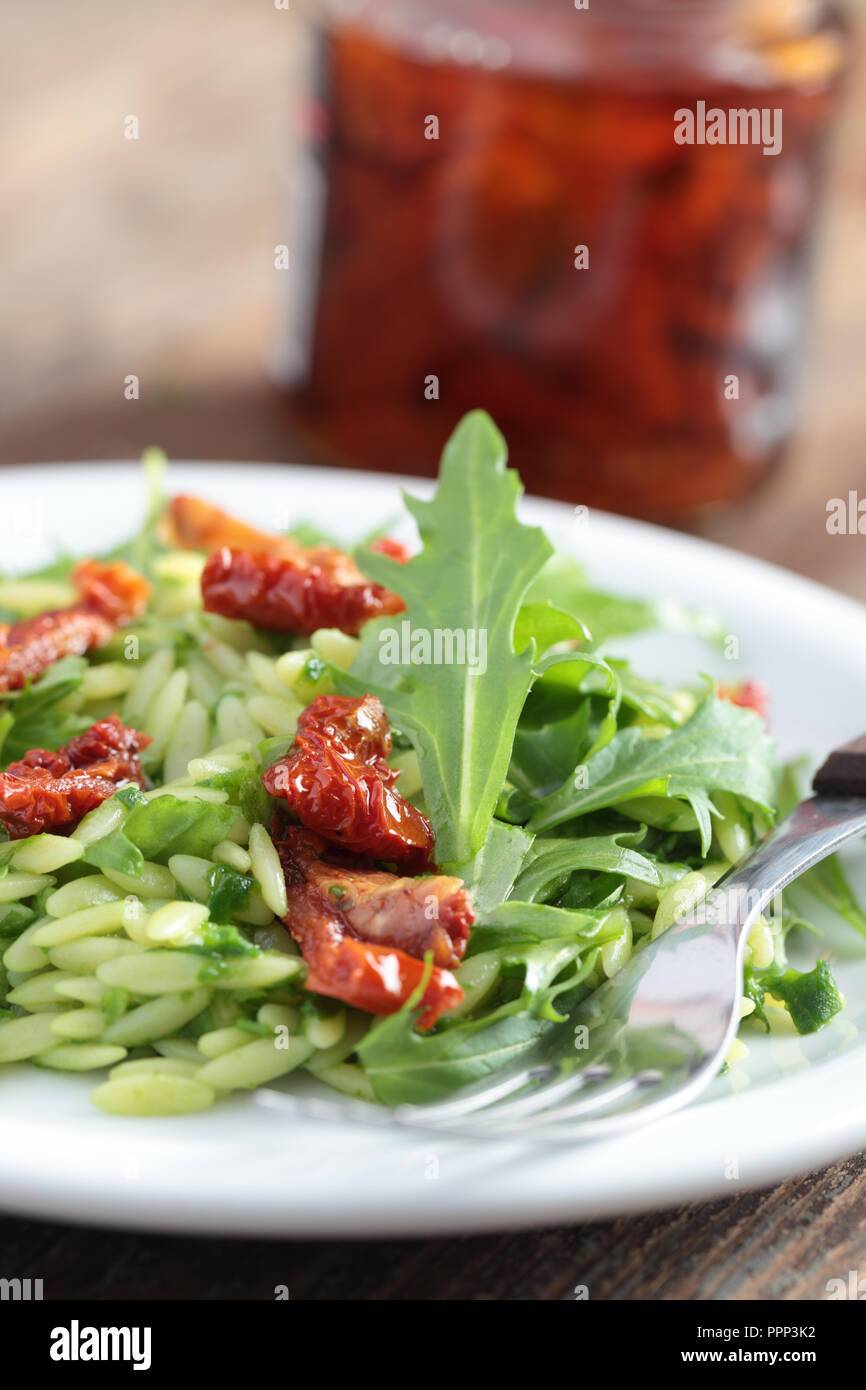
x=54, y=790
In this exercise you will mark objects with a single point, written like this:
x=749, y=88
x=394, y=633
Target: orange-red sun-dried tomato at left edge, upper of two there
x=111, y=596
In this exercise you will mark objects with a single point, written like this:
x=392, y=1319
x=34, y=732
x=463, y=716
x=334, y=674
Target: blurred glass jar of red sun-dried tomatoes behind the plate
x=591, y=219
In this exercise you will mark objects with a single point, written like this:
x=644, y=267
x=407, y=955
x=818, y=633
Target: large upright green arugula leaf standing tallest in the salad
x=471, y=576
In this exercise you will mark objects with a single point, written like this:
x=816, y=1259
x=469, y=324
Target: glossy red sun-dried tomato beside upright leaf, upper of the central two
x=337, y=780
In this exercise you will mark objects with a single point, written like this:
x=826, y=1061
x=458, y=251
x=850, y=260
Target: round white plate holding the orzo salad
x=240, y=1170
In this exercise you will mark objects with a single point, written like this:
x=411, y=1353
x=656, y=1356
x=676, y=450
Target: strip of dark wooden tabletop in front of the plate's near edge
x=785, y=1243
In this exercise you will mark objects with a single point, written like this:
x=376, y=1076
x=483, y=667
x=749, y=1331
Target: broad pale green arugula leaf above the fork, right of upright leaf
x=719, y=749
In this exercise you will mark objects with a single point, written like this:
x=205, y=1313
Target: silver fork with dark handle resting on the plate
x=651, y=1039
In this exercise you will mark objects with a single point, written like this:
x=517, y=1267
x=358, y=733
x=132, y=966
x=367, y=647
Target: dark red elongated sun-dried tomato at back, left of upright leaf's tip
x=284, y=596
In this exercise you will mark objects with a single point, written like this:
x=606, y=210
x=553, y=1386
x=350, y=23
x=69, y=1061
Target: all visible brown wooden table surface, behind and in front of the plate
x=193, y=252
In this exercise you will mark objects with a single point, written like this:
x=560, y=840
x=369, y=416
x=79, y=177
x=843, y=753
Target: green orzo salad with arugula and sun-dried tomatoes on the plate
x=386, y=818
